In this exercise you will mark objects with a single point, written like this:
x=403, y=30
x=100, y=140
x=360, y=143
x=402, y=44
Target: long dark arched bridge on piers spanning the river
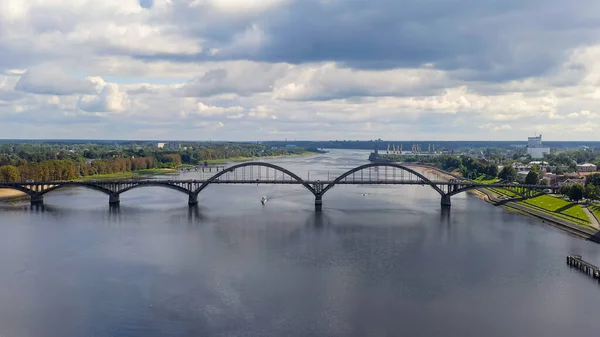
x=265, y=173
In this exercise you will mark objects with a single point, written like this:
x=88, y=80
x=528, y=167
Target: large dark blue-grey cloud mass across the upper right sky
x=382, y=34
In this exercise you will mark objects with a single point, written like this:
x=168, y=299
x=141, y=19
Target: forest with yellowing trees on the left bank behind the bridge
x=58, y=161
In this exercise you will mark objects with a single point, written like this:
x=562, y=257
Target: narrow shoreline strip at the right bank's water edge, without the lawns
x=514, y=207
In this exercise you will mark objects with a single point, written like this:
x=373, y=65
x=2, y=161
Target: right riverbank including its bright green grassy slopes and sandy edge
x=542, y=210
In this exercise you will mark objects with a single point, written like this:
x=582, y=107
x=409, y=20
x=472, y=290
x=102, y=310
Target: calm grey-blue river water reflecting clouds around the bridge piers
x=389, y=263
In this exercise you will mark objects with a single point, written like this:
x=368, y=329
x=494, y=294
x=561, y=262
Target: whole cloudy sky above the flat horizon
x=300, y=69
